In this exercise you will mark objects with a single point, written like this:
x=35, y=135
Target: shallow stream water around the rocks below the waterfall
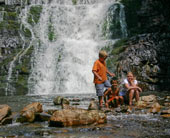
x=122, y=125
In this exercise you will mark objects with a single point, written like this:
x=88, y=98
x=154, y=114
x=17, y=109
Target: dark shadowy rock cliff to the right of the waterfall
x=146, y=52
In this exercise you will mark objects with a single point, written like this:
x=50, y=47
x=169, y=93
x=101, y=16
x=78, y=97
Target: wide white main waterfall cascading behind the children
x=69, y=36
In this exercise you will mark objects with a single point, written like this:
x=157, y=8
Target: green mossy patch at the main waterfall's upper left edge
x=34, y=14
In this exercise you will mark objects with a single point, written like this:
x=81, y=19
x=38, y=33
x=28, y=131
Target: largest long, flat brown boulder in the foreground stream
x=75, y=117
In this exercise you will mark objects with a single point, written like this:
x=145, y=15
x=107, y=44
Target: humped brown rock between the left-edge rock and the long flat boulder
x=28, y=113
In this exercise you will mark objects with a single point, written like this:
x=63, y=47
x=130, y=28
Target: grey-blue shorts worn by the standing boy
x=100, y=87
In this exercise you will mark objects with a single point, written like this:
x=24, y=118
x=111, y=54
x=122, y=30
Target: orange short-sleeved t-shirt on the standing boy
x=101, y=70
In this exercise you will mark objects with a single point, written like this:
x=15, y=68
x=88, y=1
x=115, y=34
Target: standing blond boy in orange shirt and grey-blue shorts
x=100, y=72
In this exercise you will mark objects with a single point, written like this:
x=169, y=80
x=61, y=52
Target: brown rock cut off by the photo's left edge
x=5, y=111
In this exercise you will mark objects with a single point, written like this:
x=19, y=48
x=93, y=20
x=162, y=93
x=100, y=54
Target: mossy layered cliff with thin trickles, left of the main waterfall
x=14, y=40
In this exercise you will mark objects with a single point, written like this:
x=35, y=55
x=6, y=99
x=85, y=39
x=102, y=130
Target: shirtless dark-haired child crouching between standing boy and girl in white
x=113, y=94
